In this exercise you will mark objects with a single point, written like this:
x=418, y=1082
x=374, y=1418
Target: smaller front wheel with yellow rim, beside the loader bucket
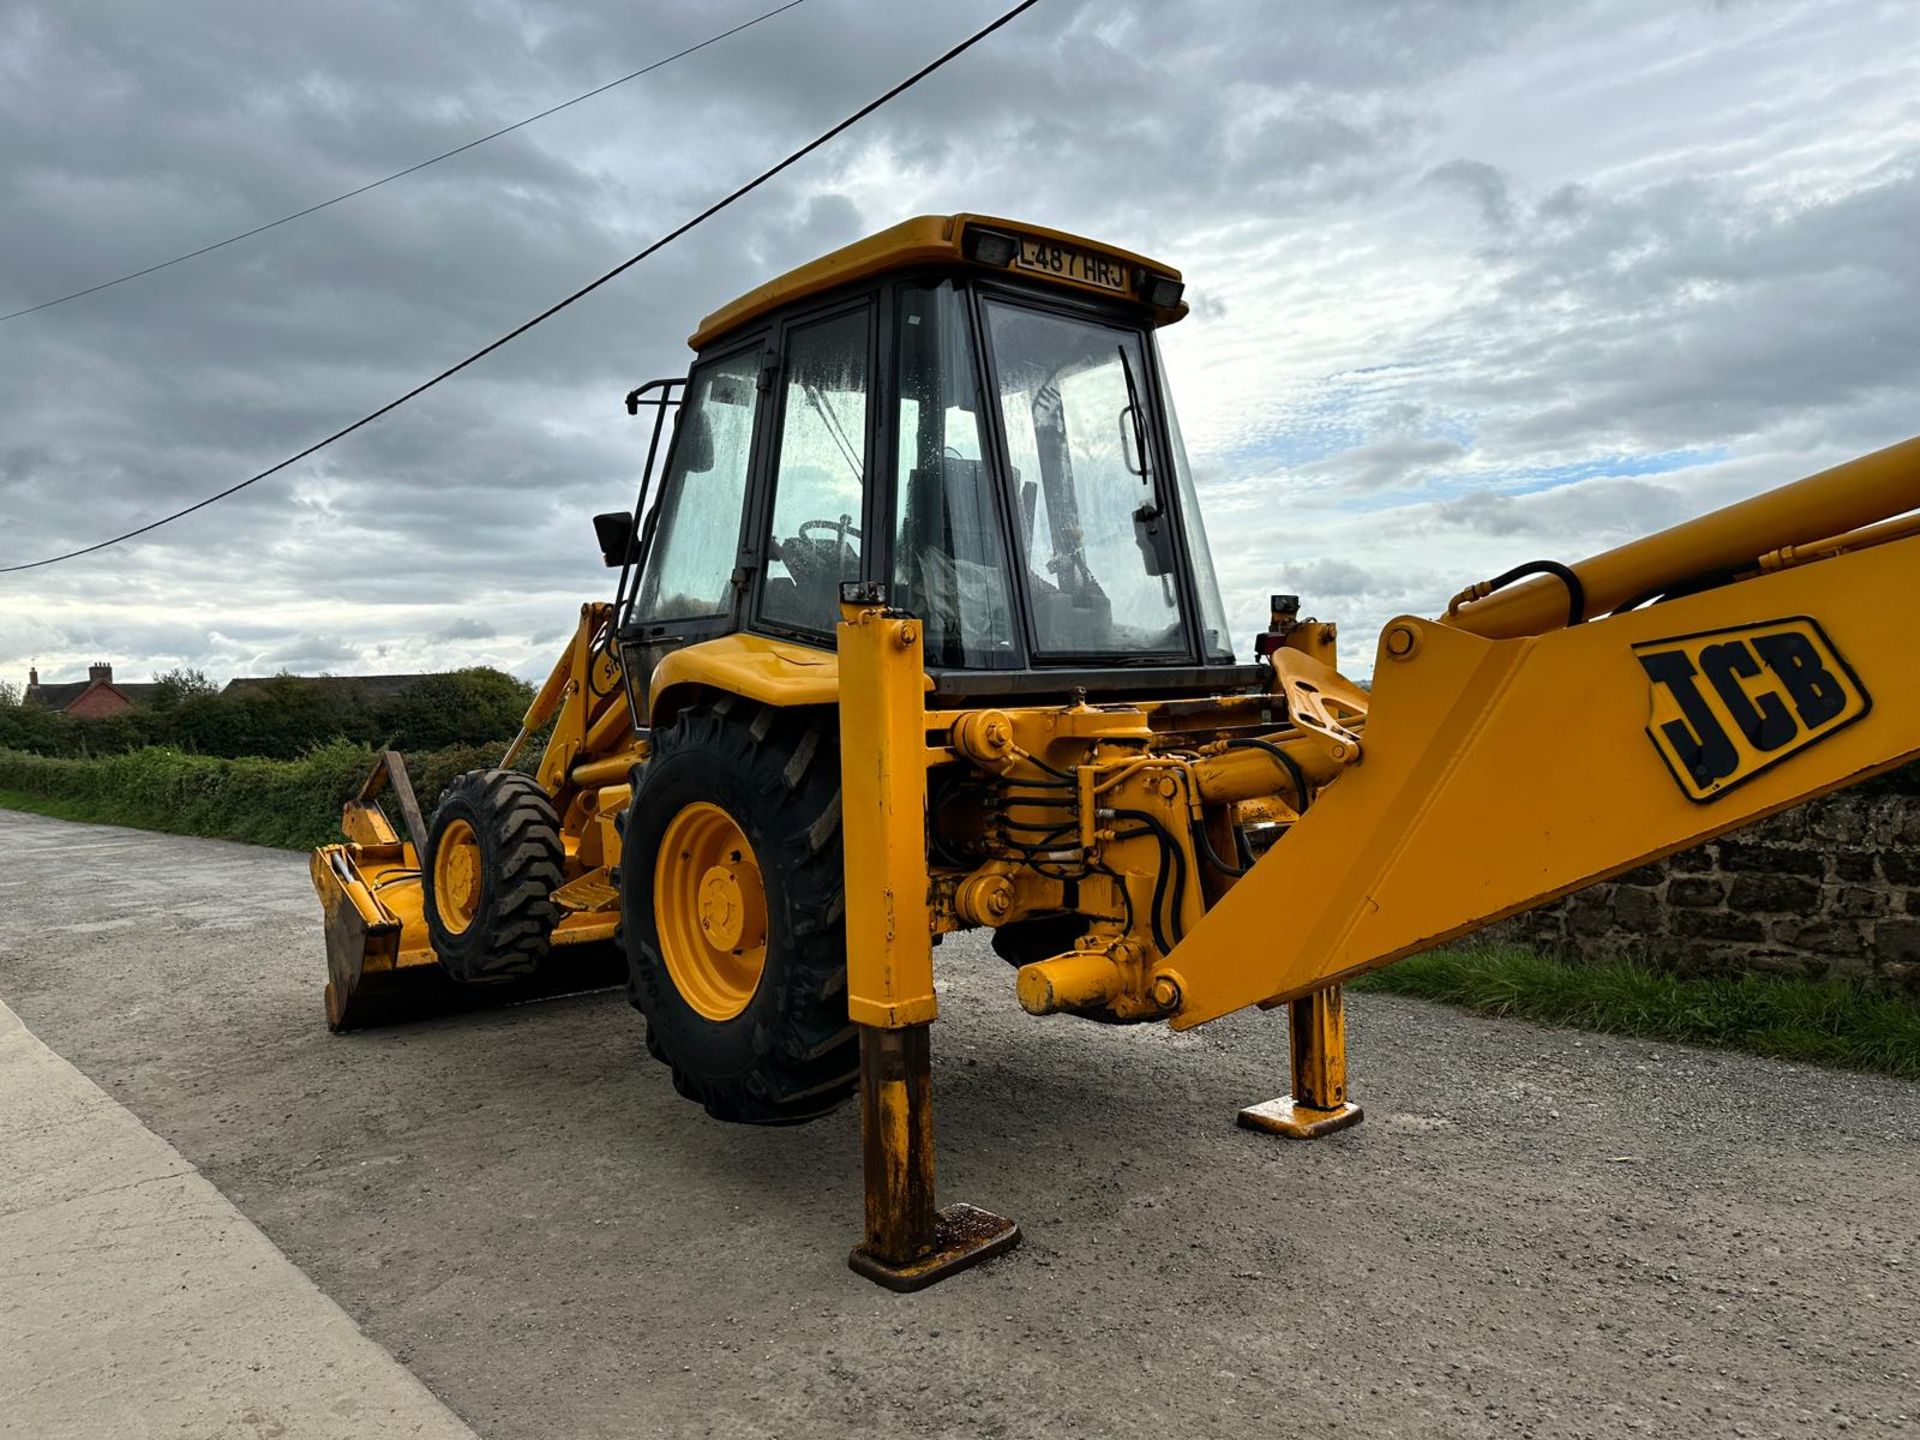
x=492, y=863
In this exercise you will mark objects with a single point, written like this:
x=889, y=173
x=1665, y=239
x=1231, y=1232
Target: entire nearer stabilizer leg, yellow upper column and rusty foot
x=890, y=953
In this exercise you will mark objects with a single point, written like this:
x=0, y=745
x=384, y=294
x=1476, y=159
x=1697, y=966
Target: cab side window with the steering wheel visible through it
x=821, y=473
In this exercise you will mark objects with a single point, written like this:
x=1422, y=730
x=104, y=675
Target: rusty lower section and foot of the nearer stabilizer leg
x=911, y=1245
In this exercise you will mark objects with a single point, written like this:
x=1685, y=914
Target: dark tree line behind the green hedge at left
x=281, y=719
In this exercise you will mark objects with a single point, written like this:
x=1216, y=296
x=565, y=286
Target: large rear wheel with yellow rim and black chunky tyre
x=732, y=913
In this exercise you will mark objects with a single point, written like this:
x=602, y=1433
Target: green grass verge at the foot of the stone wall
x=1821, y=1022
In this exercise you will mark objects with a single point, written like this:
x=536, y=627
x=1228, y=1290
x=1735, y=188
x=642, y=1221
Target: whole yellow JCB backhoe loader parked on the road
x=917, y=631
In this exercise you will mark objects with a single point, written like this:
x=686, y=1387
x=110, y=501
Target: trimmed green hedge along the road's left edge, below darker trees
x=287, y=804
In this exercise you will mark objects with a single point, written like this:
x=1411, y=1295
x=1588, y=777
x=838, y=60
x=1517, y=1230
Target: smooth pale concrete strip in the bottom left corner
x=139, y=1303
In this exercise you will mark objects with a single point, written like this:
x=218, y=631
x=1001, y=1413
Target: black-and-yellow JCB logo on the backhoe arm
x=1733, y=704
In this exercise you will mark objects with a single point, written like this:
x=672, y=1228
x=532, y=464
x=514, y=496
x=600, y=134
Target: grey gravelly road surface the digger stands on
x=1533, y=1234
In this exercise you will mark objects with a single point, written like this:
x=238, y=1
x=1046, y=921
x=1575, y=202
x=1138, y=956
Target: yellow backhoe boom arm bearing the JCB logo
x=1510, y=759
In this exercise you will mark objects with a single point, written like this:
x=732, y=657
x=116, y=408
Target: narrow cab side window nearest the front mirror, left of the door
x=690, y=567
